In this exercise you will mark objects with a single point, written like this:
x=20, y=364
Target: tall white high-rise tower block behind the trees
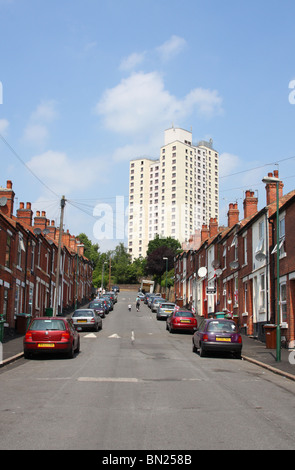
x=173, y=195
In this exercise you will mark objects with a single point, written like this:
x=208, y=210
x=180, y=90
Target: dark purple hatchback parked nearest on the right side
x=217, y=334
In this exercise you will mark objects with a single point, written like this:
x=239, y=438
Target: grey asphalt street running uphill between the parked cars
x=135, y=386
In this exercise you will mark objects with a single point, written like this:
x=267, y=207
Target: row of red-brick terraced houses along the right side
x=235, y=266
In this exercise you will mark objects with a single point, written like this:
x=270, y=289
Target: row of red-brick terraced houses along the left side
x=28, y=262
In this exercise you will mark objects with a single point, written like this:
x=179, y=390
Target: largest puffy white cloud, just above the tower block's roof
x=140, y=103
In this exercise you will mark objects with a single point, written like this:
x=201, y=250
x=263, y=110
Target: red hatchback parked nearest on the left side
x=51, y=335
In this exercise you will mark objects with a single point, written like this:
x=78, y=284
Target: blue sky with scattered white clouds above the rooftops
x=86, y=86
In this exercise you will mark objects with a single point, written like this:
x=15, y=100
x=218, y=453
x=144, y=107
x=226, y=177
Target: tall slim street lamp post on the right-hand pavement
x=277, y=181
